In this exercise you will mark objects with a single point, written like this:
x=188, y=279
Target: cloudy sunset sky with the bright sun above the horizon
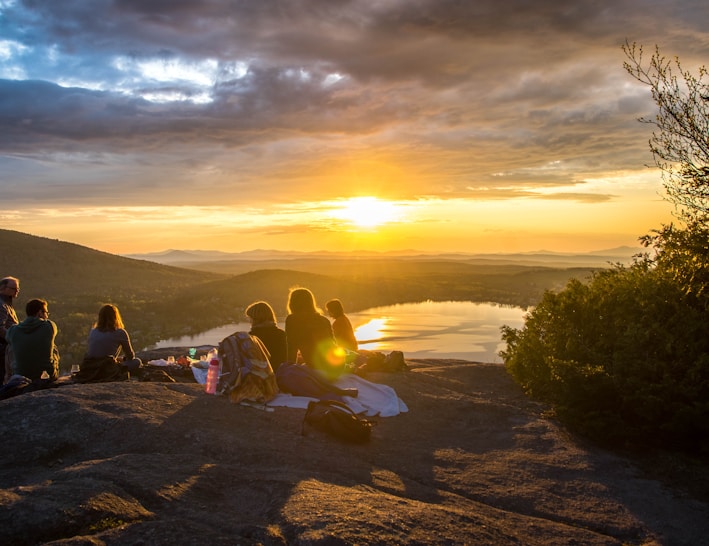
x=135, y=126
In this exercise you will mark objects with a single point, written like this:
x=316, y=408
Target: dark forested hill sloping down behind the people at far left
x=77, y=280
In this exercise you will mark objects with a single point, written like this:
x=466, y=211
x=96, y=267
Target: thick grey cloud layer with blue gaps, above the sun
x=158, y=101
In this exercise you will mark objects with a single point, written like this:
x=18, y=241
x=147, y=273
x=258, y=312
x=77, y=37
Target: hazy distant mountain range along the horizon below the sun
x=599, y=258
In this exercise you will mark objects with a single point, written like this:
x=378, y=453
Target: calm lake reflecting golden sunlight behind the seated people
x=429, y=329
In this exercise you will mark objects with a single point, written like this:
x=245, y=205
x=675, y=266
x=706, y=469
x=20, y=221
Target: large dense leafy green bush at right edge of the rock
x=624, y=358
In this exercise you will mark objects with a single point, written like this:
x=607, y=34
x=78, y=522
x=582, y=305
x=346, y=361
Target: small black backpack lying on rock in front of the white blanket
x=336, y=419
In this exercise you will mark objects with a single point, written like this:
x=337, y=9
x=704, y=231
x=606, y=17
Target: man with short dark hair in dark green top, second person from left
x=32, y=343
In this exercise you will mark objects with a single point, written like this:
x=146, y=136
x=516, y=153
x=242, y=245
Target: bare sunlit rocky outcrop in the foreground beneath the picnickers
x=472, y=462
